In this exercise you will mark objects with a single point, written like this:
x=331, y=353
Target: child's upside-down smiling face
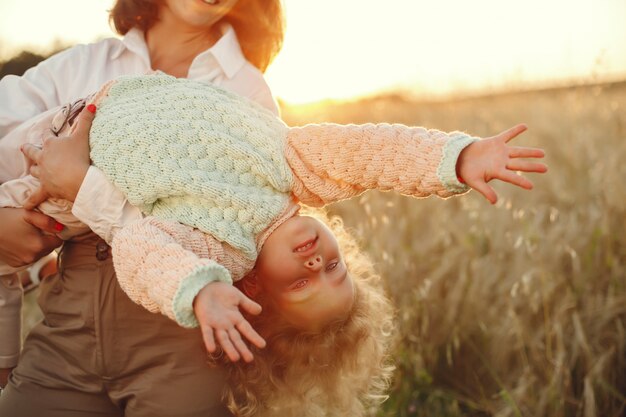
x=301, y=269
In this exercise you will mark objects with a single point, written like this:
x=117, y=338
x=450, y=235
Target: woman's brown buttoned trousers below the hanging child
x=98, y=353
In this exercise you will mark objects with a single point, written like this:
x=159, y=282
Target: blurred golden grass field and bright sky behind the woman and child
x=517, y=309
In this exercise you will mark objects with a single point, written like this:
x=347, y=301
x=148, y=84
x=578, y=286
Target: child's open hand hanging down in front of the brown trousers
x=217, y=309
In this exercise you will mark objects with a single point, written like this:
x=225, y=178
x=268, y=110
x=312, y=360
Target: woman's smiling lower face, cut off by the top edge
x=197, y=13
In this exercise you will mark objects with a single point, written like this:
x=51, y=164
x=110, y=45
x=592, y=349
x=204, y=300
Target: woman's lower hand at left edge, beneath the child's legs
x=26, y=236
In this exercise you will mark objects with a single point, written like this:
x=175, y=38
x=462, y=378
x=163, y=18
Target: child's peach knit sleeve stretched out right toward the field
x=332, y=162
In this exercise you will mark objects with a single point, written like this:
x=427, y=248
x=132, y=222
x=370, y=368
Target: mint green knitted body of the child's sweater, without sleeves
x=194, y=153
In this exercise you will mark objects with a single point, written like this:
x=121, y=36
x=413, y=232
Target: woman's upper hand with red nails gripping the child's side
x=62, y=163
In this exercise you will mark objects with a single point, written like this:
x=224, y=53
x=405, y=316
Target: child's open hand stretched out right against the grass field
x=492, y=158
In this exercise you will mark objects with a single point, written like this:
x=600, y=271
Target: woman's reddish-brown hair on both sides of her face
x=259, y=24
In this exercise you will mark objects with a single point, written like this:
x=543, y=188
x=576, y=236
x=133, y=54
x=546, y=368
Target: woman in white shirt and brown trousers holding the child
x=95, y=352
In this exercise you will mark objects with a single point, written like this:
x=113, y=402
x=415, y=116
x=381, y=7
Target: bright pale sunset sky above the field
x=341, y=49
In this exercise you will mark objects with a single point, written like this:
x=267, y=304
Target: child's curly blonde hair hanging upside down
x=344, y=370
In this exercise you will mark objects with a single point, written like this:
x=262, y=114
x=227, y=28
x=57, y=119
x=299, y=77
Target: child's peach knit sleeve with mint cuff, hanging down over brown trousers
x=162, y=265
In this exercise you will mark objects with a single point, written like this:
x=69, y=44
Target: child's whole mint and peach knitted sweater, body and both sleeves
x=196, y=154
